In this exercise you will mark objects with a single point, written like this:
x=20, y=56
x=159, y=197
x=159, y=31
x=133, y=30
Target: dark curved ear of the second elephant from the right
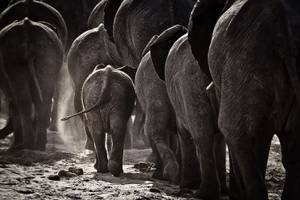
x=159, y=50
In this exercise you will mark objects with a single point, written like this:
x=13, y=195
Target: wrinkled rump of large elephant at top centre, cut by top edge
x=136, y=21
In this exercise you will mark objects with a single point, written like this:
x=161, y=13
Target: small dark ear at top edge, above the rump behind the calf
x=110, y=12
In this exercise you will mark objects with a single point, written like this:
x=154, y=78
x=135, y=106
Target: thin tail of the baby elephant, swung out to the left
x=103, y=97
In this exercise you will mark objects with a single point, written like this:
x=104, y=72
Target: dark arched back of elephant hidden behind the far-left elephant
x=37, y=11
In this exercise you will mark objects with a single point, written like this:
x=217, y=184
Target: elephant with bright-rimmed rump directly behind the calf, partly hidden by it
x=89, y=49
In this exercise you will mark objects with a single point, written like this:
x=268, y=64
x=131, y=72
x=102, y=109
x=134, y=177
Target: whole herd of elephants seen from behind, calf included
x=198, y=75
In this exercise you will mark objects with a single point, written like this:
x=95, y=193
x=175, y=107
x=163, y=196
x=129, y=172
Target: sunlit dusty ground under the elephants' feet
x=25, y=175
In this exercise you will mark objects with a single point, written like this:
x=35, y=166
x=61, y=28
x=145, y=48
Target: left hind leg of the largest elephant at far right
x=247, y=159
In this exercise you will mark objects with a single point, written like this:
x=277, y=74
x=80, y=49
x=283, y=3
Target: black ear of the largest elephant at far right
x=203, y=19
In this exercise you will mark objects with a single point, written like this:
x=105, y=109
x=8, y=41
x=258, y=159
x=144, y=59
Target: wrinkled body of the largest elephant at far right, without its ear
x=251, y=60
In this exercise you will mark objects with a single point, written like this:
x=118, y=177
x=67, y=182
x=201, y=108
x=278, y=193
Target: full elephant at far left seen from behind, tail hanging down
x=28, y=74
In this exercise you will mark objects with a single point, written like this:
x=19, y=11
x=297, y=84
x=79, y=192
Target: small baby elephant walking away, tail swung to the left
x=108, y=99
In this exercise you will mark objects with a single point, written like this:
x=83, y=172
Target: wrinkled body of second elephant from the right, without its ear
x=196, y=121
